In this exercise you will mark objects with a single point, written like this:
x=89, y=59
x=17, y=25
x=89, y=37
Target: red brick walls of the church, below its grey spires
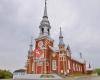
x=53, y=62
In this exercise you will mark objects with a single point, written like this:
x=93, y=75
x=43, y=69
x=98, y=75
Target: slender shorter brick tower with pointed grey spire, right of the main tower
x=62, y=55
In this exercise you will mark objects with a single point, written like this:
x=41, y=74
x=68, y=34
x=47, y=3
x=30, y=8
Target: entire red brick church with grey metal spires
x=45, y=59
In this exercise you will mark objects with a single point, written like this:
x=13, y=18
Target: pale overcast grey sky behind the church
x=20, y=20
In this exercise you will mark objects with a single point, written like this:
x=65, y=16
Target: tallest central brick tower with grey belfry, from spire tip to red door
x=43, y=42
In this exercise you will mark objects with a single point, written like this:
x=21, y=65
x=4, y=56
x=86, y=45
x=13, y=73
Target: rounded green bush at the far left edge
x=5, y=74
